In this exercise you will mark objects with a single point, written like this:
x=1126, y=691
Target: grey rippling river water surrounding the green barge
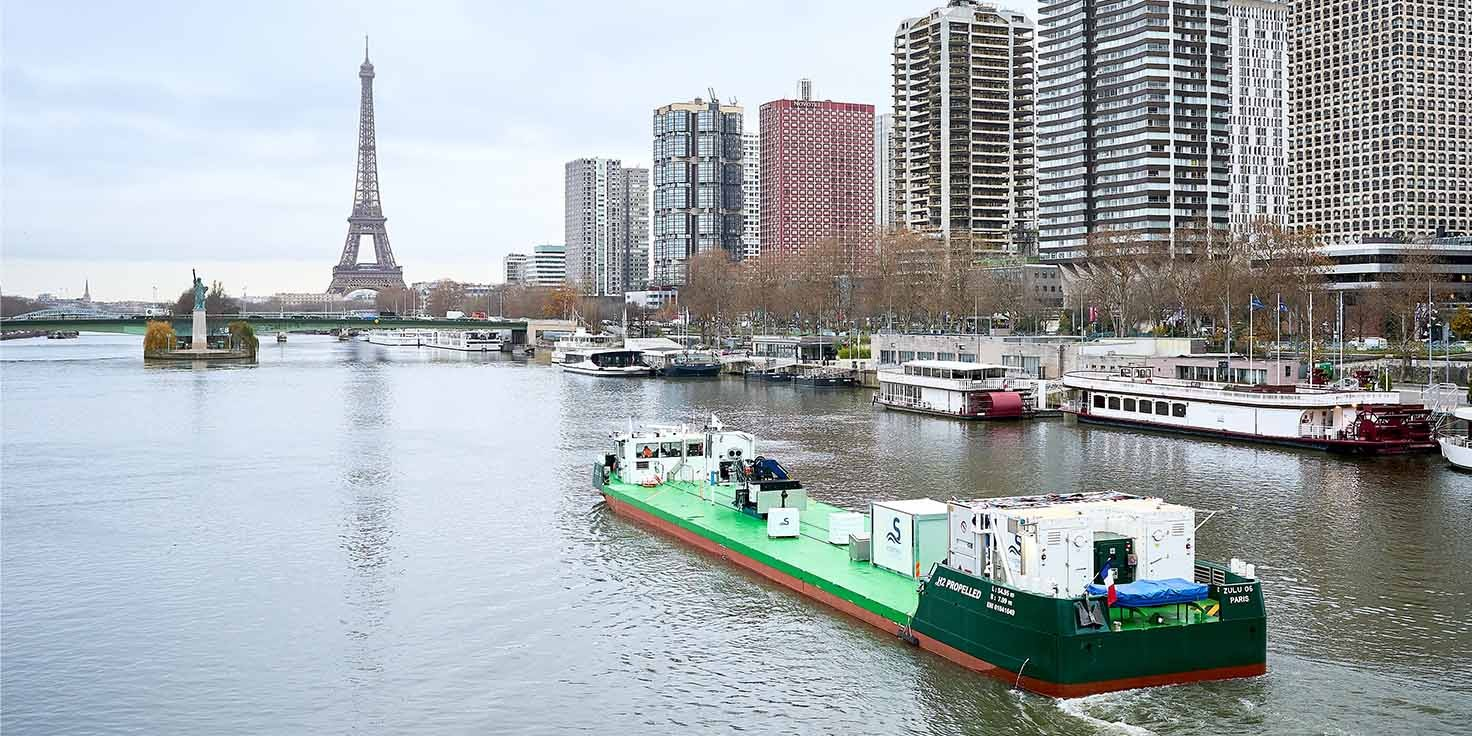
x=360, y=539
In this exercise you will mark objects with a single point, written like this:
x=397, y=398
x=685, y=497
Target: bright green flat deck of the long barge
x=809, y=559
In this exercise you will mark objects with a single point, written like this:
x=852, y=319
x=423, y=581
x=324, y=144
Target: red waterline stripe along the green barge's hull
x=950, y=653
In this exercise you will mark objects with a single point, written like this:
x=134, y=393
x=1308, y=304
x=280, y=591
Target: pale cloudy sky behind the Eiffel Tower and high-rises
x=145, y=139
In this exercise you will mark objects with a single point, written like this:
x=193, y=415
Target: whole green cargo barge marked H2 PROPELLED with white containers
x=1065, y=595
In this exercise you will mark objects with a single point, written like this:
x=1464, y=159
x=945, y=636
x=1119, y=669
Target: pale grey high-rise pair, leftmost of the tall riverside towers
x=604, y=226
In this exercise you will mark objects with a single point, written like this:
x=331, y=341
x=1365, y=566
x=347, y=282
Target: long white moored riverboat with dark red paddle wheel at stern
x=1330, y=419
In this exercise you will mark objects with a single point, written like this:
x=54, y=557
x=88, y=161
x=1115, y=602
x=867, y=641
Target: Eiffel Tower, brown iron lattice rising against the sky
x=367, y=219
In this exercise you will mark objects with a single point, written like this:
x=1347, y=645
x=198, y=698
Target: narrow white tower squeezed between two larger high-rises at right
x=1259, y=48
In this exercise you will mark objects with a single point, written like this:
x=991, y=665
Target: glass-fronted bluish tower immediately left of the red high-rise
x=698, y=202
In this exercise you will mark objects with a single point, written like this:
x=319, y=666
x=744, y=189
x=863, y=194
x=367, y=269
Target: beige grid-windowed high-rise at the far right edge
x=1380, y=120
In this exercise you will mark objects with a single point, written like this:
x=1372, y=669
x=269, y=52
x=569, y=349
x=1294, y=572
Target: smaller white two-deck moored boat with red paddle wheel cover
x=962, y=391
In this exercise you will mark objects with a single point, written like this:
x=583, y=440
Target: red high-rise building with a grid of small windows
x=818, y=177
